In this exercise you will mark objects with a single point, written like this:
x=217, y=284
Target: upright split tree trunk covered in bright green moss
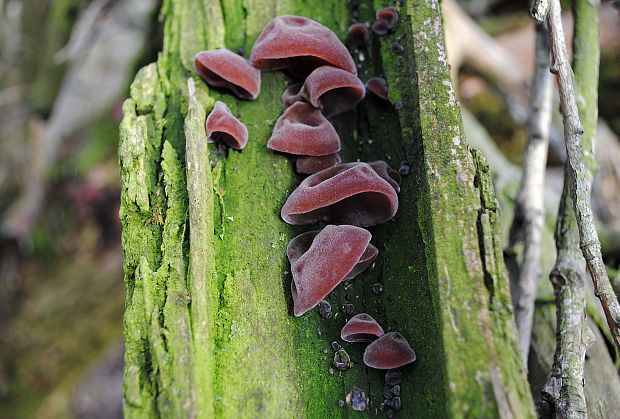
x=208, y=322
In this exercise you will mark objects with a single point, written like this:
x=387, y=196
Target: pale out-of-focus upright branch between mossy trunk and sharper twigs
x=530, y=208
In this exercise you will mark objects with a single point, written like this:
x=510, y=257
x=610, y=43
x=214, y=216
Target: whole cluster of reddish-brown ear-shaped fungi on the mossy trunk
x=347, y=197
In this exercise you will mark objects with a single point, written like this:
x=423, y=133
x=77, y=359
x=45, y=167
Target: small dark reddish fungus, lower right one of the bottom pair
x=389, y=351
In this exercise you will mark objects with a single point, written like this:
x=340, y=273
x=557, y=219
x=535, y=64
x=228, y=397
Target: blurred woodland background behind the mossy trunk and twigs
x=65, y=68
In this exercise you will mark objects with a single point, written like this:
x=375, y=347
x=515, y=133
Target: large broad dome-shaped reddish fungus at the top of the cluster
x=300, y=45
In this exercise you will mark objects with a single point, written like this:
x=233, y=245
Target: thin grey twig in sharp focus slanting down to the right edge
x=580, y=176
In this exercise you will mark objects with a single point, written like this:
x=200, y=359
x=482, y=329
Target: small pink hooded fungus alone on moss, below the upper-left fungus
x=222, y=126
